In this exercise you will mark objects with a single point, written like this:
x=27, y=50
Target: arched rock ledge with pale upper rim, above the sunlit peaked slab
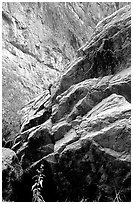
x=82, y=97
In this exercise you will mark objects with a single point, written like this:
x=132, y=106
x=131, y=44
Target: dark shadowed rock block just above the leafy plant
x=38, y=143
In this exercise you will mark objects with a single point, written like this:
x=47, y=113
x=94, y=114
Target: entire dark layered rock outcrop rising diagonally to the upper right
x=81, y=132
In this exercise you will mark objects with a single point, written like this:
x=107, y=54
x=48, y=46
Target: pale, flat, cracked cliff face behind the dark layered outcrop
x=39, y=39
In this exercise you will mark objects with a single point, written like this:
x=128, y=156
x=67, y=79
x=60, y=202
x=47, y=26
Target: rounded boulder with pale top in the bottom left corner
x=11, y=174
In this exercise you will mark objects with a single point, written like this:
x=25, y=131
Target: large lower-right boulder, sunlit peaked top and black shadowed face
x=100, y=157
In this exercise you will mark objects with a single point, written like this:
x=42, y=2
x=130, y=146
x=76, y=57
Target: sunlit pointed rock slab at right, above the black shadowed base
x=108, y=124
